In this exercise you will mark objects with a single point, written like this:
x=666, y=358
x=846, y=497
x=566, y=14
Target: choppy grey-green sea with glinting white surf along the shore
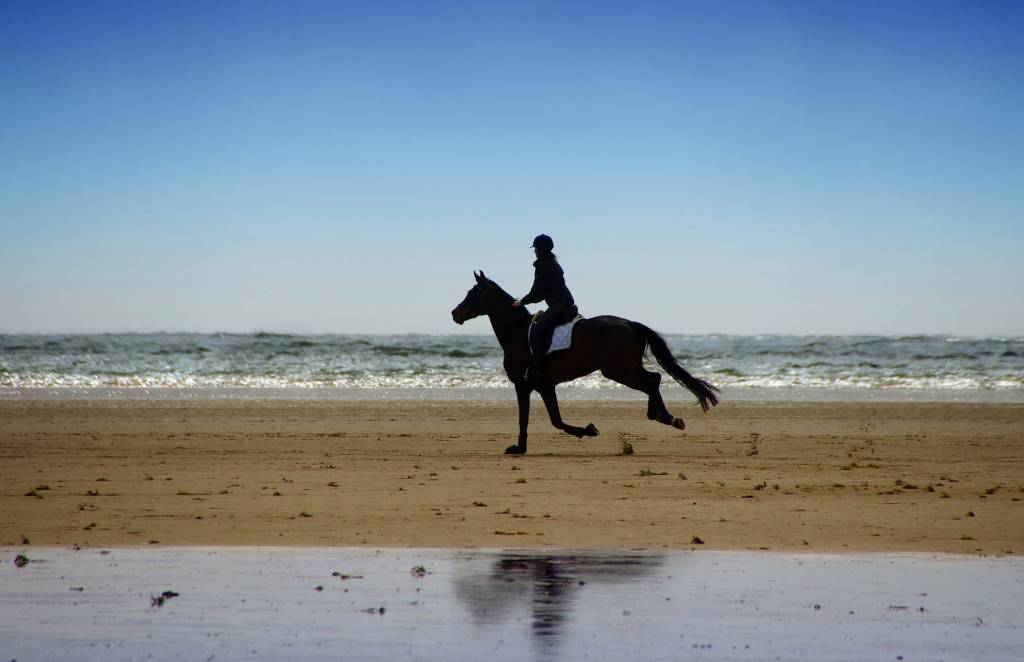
x=132, y=362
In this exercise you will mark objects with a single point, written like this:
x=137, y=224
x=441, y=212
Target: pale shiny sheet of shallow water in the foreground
x=361, y=604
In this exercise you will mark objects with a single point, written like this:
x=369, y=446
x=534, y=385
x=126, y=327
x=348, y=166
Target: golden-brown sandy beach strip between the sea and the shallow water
x=794, y=477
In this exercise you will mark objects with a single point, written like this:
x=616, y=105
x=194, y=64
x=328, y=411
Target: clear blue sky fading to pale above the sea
x=738, y=168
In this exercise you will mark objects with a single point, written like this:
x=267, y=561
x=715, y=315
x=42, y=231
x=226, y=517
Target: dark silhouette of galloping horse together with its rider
x=614, y=346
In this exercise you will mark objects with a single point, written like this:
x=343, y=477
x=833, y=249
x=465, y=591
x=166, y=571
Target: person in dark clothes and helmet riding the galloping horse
x=549, y=286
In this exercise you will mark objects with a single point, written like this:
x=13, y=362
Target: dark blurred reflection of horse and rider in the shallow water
x=545, y=587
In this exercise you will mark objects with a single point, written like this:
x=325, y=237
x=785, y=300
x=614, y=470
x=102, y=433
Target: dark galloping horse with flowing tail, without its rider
x=614, y=346
